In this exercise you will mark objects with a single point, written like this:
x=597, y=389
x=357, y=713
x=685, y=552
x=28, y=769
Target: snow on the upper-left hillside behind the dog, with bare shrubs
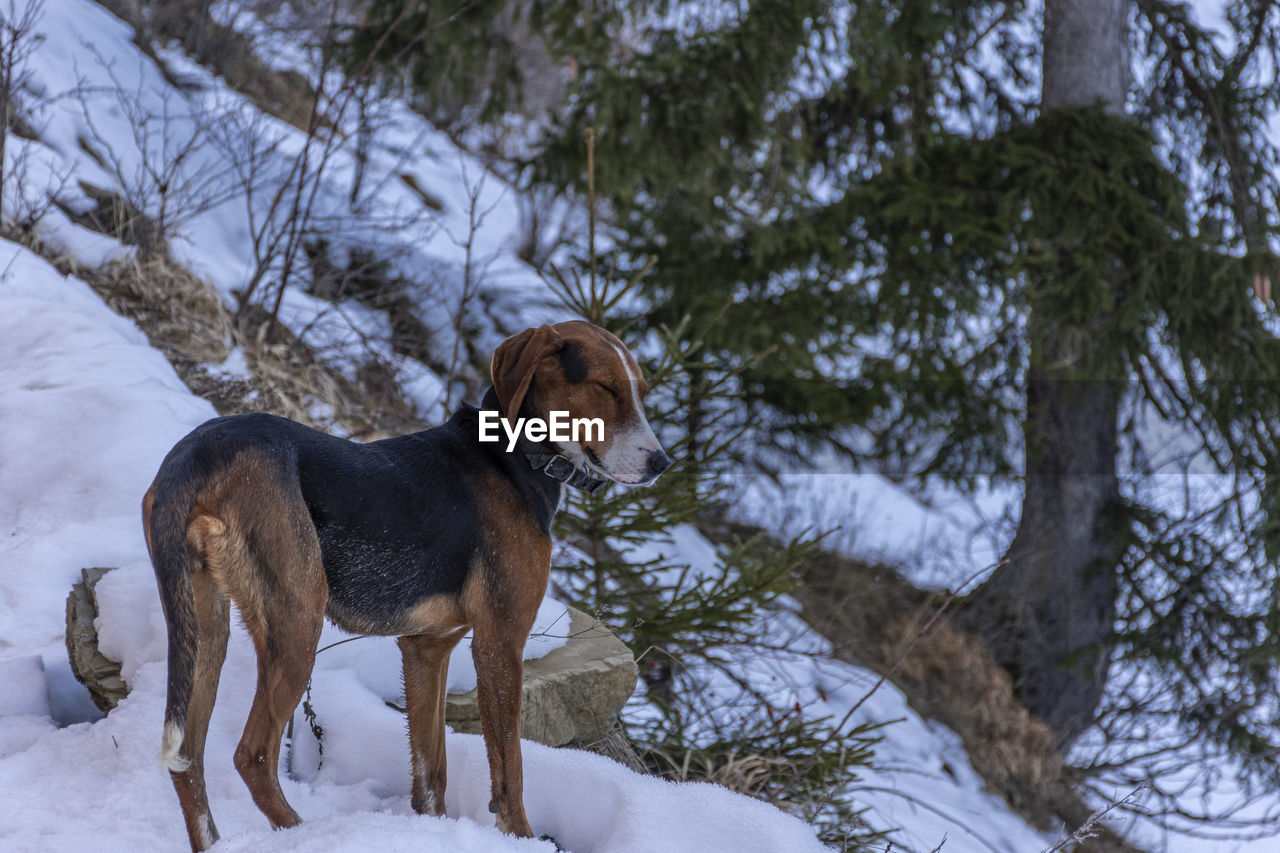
x=208, y=161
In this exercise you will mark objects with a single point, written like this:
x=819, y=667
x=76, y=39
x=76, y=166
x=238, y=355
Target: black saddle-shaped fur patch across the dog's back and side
x=399, y=521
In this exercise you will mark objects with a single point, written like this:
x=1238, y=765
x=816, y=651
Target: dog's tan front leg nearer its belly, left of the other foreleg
x=427, y=674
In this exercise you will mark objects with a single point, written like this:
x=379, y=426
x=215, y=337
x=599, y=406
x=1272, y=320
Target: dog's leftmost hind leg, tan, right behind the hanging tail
x=214, y=619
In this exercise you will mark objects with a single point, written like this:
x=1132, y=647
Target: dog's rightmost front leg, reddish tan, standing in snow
x=499, y=654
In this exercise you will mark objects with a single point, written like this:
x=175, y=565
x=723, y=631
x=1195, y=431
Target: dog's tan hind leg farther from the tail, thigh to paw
x=285, y=612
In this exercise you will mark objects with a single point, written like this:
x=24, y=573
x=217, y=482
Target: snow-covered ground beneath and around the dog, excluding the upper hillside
x=89, y=410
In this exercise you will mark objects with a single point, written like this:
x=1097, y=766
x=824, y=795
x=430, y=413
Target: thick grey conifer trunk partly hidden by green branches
x=1048, y=612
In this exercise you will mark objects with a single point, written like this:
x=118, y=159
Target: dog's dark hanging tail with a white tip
x=166, y=512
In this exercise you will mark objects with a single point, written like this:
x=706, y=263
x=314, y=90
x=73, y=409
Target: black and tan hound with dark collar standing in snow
x=420, y=537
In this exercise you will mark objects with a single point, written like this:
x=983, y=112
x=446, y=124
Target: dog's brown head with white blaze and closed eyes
x=582, y=370
